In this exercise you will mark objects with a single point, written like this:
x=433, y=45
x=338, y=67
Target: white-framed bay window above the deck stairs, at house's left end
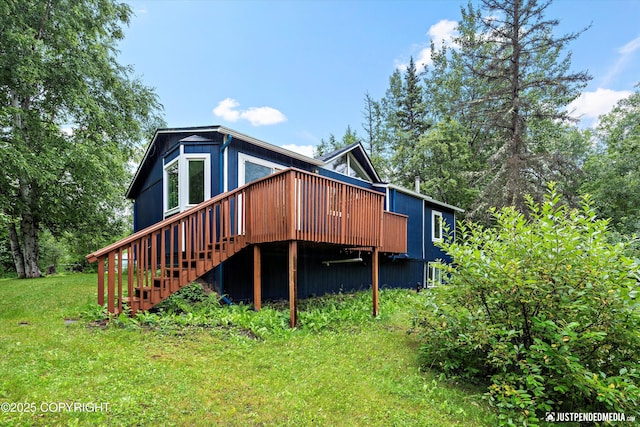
x=187, y=182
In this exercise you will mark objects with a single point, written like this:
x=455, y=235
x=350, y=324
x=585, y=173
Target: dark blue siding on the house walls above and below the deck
x=314, y=278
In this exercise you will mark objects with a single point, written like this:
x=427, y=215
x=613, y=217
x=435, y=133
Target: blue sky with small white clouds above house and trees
x=293, y=72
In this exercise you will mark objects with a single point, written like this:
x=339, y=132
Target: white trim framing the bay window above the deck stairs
x=183, y=183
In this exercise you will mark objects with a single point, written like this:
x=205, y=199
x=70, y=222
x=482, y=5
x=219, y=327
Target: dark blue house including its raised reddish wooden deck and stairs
x=249, y=217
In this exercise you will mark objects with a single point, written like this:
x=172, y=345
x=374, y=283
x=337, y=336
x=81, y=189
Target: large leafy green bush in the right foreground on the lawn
x=540, y=308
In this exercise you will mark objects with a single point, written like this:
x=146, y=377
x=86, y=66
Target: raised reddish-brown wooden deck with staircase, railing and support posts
x=292, y=205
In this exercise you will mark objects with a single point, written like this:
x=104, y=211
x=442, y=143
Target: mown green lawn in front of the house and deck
x=229, y=367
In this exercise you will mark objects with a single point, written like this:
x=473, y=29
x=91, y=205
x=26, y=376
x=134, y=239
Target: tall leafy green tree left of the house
x=70, y=116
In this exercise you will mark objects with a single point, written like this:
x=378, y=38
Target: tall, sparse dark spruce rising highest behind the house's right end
x=514, y=77
